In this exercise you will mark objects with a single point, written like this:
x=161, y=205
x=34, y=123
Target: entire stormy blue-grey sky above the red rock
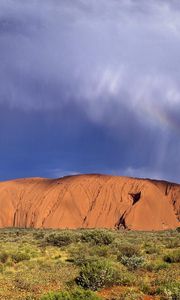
x=90, y=86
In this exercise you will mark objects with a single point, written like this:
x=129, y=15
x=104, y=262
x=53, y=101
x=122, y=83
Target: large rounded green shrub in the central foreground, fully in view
x=97, y=274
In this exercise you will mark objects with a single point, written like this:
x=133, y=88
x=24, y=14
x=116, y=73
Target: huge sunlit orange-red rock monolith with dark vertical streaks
x=90, y=201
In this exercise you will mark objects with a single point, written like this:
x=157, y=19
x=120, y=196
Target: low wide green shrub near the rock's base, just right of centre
x=97, y=237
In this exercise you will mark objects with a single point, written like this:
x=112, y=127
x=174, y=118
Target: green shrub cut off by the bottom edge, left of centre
x=77, y=294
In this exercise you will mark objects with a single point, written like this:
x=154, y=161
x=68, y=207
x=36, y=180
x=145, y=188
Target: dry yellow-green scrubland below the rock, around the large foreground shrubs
x=31, y=265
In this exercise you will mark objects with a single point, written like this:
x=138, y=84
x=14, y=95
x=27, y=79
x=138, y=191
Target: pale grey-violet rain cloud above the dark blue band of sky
x=116, y=61
